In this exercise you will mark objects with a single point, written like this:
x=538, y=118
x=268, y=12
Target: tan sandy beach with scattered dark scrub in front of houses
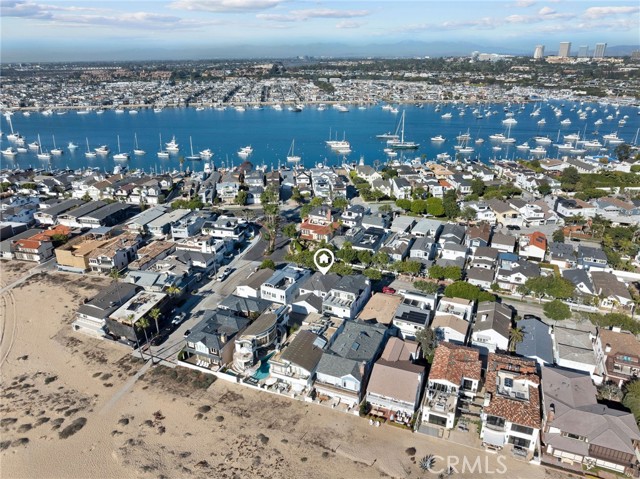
x=75, y=407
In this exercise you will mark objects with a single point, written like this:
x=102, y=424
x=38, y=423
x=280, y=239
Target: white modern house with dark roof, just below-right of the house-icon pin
x=347, y=297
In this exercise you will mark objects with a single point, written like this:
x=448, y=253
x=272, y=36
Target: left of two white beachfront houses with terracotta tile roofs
x=456, y=371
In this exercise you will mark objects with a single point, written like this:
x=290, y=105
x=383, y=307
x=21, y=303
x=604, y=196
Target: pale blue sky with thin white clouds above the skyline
x=53, y=30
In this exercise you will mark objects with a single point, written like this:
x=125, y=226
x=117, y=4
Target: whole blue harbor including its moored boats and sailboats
x=508, y=129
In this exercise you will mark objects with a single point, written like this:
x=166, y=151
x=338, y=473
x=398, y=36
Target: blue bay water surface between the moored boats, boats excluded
x=270, y=133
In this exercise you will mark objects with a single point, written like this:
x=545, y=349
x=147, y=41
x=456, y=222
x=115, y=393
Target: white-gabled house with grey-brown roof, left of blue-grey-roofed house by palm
x=492, y=327
